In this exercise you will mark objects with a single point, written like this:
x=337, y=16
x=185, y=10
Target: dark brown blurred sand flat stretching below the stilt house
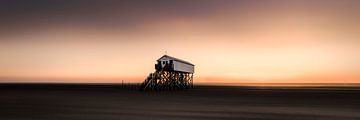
x=111, y=102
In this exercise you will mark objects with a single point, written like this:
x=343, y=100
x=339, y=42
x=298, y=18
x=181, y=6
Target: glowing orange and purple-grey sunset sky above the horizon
x=229, y=41
